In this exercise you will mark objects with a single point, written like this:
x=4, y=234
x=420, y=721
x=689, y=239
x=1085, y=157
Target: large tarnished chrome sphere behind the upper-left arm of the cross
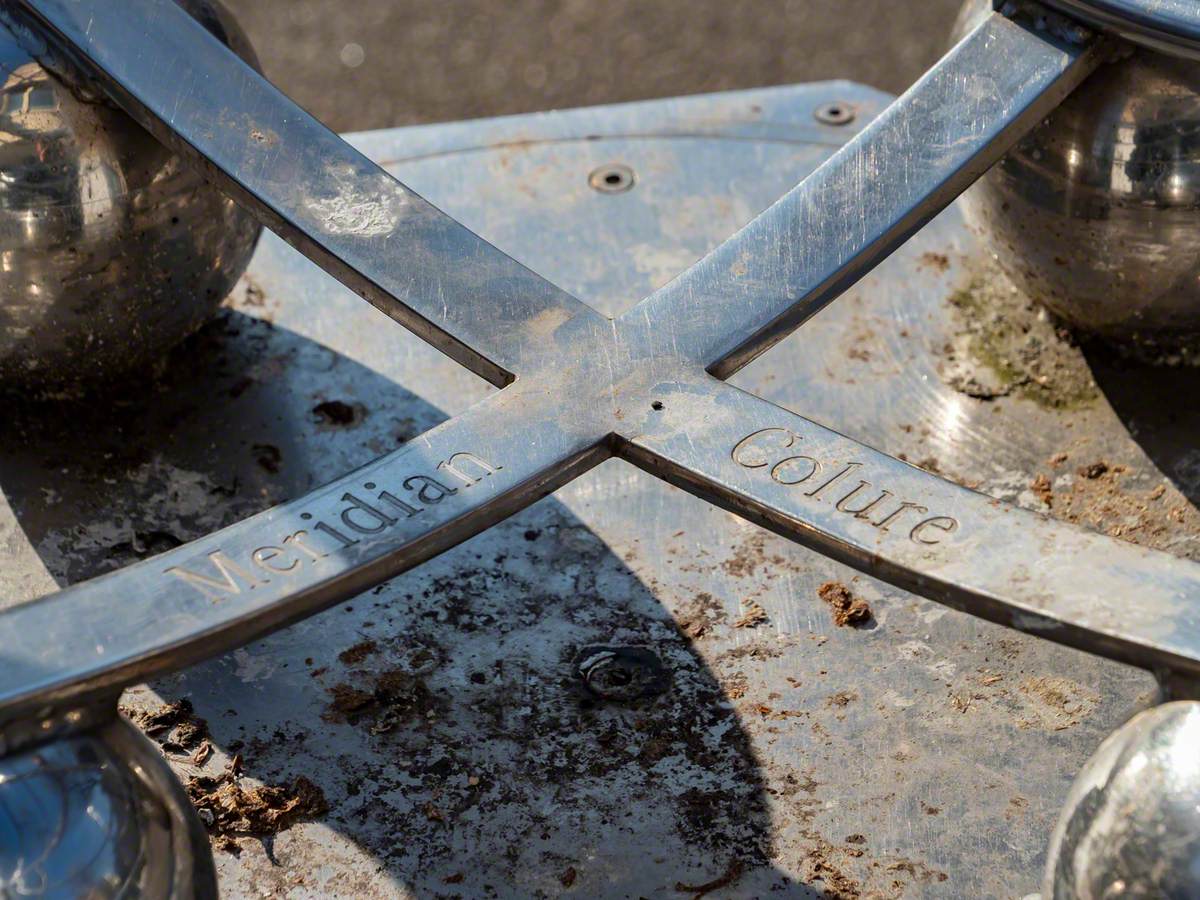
x=112, y=250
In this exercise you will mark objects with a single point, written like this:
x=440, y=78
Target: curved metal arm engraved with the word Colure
x=922, y=533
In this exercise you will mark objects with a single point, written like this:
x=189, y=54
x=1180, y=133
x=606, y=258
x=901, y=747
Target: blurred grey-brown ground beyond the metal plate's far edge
x=370, y=64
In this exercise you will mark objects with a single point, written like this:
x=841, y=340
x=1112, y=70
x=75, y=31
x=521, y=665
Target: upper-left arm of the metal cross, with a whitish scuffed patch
x=377, y=237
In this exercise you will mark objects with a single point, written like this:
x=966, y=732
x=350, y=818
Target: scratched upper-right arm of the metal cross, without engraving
x=868, y=199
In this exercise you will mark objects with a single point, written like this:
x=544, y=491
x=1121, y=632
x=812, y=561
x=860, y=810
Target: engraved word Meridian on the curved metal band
x=338, y=530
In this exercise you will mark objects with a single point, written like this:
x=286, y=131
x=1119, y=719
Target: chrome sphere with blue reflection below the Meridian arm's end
x=100, y=815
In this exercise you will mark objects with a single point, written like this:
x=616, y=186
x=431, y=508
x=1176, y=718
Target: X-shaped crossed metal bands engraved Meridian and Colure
x=723, y=313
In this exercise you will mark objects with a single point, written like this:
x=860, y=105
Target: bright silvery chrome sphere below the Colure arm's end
x=1131, y=827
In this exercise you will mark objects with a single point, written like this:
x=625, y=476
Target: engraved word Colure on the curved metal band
x=850, y=495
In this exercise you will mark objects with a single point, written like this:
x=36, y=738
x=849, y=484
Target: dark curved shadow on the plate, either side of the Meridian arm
x=443, y=715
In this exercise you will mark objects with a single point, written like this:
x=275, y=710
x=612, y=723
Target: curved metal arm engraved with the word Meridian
x=290, y=562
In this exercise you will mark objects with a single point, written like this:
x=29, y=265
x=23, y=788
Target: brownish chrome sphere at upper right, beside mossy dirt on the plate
x=1096, y=213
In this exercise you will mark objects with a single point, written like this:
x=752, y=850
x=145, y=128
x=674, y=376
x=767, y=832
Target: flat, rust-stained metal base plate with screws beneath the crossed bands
x=947, y=745
